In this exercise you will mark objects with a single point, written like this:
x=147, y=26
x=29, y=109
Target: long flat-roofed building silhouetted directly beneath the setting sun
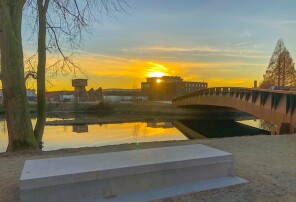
x=169, y=87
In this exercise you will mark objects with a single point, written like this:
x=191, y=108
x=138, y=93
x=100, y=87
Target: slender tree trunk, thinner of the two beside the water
x=41, y=91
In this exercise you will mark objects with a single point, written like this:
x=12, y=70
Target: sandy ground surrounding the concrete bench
x=268, y=162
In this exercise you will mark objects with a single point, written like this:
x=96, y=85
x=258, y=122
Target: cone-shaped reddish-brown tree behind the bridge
x=280, y=71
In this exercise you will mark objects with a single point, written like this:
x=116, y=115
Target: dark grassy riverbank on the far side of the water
x=132, y=108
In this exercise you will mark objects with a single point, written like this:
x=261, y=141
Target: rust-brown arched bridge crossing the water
x=274, y=106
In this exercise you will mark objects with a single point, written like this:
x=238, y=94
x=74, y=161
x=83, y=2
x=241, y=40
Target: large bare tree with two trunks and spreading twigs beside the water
x=55, y=22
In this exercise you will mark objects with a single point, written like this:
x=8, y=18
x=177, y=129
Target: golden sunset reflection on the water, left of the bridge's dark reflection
x=67, y=136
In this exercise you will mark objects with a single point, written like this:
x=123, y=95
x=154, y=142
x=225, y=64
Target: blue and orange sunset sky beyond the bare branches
x=222, y=42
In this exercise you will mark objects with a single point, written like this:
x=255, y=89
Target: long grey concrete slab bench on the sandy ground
x=107, y=176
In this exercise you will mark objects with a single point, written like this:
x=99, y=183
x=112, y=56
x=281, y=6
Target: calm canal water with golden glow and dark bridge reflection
x=67, y=136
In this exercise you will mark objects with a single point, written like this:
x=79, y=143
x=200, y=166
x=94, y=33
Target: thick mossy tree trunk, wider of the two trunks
x=20, y=132
